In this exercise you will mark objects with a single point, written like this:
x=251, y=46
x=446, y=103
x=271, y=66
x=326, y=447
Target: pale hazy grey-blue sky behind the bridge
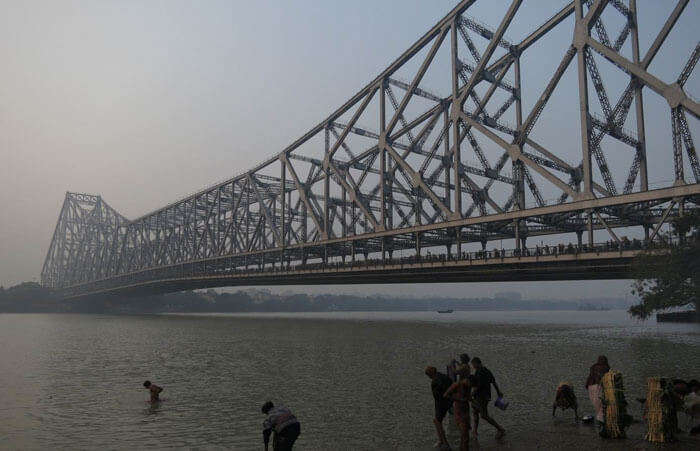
x=144, y=102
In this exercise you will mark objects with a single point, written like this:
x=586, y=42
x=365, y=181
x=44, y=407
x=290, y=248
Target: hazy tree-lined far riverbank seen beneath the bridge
x=33, y=298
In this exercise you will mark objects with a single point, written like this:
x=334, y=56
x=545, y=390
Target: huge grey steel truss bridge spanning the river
x=399, y=182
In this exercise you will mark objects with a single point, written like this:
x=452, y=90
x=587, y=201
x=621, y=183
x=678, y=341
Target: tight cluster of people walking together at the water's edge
x=462, y=392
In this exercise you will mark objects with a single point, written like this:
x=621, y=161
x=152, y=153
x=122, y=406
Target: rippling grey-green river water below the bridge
x=355, y=380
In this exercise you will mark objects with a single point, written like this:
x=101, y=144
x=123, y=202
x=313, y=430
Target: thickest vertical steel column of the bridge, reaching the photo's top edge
x=581, y=33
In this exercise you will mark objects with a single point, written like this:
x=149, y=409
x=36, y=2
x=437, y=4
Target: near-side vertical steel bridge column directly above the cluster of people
x=456, y=110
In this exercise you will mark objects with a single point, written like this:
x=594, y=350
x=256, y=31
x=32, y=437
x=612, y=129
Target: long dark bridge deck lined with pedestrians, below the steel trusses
x=576, y=266
